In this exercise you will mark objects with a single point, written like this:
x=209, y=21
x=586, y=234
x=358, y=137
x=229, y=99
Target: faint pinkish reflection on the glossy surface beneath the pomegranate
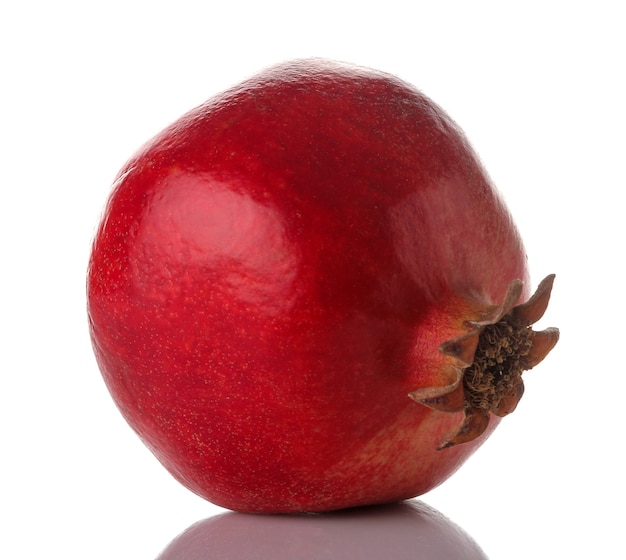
x=400, y=531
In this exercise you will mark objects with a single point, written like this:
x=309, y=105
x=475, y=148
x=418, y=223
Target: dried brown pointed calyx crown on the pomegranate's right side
x=489, y=361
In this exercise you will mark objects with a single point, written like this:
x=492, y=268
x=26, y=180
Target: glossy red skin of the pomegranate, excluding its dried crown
x=274, y=273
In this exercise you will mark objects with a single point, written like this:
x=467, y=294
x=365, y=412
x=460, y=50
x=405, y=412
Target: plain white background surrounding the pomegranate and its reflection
x=538, y=88
